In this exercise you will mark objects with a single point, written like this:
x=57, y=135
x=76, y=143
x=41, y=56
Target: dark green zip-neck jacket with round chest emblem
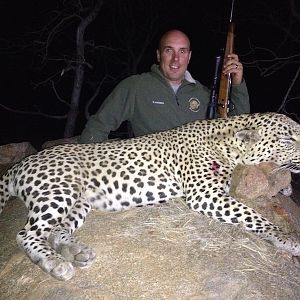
x=150, y=104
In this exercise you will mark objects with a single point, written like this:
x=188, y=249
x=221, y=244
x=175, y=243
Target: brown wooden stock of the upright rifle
x=225, y=80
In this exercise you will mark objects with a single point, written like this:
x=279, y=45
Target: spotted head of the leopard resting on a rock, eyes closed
x=272, y=138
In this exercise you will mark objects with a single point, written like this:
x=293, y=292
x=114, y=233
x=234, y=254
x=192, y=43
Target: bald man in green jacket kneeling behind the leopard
x=165, y=97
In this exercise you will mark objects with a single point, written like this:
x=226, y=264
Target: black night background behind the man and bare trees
x=261, y=23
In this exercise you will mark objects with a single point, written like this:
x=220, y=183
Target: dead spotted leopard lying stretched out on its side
x=62, y=184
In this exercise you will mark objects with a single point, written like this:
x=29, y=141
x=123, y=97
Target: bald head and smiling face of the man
x=174, y=55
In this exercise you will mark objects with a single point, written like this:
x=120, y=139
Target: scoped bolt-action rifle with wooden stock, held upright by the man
x=219, y=102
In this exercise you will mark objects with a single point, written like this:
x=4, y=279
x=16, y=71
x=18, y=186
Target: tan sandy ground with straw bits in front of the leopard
x=162, y=252
